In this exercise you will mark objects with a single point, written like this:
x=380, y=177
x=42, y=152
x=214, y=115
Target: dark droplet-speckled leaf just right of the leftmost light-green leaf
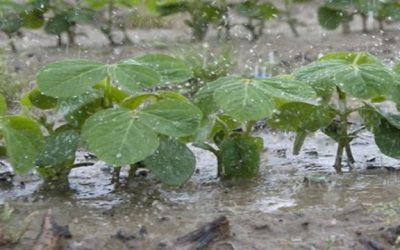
x=60, y=148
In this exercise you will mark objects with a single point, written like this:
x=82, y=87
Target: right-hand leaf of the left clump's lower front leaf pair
x=172, y=117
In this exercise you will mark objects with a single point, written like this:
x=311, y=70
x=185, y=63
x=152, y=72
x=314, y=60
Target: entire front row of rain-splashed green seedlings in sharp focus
x=110, y=111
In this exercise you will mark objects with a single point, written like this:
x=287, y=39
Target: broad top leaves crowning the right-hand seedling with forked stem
x=360, y=78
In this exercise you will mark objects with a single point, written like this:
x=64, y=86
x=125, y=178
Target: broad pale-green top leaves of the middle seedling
x=253, y=99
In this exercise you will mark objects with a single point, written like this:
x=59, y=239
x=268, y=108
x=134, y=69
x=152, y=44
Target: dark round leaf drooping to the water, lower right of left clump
x=173, y=162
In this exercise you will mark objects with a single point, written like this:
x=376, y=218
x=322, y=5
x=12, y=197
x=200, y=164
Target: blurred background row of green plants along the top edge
x=58, y=17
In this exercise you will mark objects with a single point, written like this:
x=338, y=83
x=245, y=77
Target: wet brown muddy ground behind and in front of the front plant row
x=296, y=202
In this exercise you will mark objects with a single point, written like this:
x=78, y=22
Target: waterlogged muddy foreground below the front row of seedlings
x=295, y=202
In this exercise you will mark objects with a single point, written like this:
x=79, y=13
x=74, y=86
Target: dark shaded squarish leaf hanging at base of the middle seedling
x=240, y=156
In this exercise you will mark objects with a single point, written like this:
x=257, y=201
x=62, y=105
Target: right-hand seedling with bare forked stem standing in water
x=359, y=76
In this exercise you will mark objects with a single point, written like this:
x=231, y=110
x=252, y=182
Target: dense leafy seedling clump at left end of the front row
x=103, y=108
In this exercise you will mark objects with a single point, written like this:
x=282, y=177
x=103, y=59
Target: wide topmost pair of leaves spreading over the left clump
x=75, y=77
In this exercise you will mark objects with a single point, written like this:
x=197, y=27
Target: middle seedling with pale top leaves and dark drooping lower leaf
x=231, y=106
